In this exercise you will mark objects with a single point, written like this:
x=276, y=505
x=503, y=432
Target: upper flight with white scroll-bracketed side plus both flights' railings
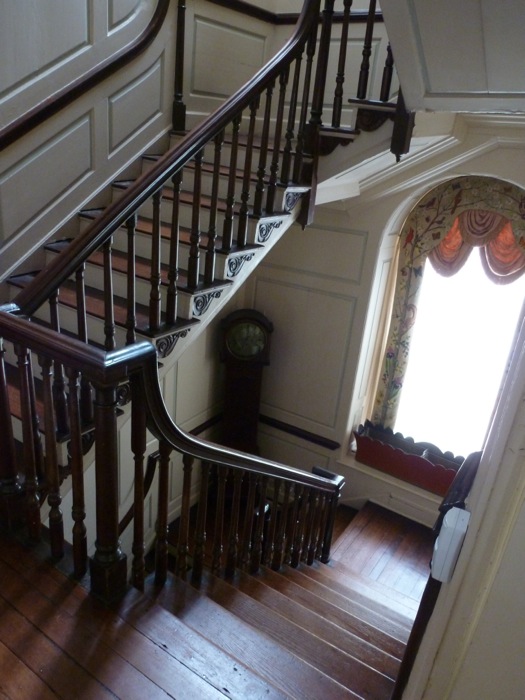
x=125, y=288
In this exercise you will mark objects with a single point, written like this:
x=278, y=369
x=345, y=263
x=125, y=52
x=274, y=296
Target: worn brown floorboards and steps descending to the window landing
x=312, y=632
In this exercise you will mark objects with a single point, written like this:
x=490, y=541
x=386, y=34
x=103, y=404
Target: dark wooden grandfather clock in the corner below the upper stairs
x=245, y=349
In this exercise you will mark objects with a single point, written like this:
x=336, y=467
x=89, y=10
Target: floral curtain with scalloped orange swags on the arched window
x=445, y=225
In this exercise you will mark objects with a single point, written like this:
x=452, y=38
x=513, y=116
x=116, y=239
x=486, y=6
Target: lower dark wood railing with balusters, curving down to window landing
x=285, y=515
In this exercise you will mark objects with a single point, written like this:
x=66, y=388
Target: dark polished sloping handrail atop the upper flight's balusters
x=115, y=215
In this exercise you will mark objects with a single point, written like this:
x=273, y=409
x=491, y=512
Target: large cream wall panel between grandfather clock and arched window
x=298, y=368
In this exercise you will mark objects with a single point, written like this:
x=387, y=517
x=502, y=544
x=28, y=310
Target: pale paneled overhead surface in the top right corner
x=466, y=56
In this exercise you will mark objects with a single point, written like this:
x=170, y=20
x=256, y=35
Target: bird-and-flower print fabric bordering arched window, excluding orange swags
x=427, y=224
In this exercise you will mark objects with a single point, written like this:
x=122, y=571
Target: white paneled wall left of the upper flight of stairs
x=52, y=172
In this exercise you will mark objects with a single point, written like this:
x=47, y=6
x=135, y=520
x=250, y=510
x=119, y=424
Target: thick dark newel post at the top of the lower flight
x=108, y=566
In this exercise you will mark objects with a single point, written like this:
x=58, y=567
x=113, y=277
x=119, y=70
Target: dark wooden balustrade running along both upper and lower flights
x=276, y=513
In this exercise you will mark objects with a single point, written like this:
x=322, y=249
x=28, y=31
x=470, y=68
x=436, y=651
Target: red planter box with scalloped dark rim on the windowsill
x=419, y=463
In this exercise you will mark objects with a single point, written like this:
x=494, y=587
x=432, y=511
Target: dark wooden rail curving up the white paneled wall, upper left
x=69, y=93
